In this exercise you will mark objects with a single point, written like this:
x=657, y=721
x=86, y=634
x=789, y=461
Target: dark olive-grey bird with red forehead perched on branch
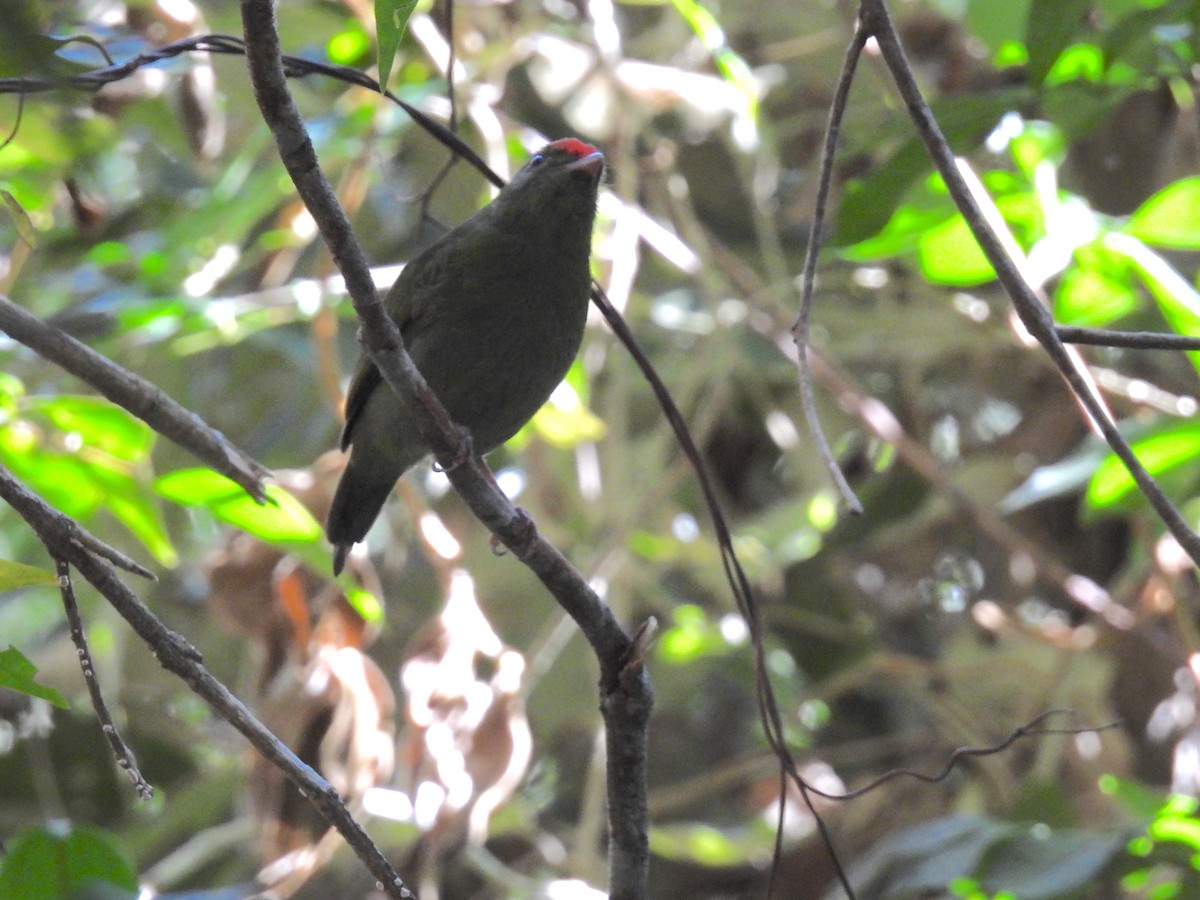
x=493, y=315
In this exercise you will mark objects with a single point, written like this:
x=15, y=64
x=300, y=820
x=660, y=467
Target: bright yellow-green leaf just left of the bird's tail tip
x=283, y=520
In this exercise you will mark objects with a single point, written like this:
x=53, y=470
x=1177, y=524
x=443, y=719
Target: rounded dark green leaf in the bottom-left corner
x=63, y=863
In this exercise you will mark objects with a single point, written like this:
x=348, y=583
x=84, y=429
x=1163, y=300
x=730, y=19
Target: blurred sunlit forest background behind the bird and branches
x=1005, y=565
